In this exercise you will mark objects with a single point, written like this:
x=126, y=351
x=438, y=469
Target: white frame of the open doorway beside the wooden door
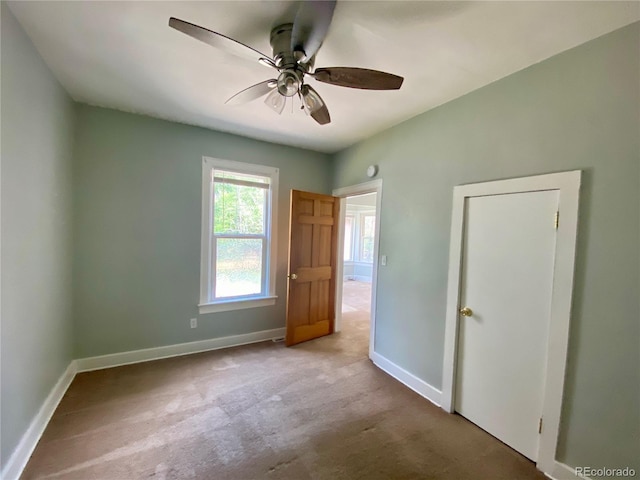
x=374, y=186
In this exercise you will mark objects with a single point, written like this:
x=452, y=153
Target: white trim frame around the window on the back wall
x=269, y=298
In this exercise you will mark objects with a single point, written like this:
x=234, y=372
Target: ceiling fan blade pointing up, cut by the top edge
x=311, y=26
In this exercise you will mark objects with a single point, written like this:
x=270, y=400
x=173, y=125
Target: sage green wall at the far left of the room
x=37, y=139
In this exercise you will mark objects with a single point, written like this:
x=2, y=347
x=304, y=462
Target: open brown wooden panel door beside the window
x=312, y=266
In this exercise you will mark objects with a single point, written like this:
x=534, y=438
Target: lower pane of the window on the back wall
x=238, y=267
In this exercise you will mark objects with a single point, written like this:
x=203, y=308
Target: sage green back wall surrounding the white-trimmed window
x=137, y=229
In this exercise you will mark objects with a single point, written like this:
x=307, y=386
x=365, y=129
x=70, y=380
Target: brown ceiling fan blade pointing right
x=358, y=78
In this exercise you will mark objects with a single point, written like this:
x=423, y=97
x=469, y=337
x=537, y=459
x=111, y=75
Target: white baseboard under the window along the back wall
x=148, y=354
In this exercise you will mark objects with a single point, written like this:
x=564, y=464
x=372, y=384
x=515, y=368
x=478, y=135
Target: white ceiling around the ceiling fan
x=124, y=56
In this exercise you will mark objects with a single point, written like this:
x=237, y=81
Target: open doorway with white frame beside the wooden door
x=356, y=275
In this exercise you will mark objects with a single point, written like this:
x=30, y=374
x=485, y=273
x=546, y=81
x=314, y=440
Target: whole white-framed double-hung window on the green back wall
x=238, y=244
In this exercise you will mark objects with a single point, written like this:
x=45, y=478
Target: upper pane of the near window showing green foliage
x=238, y=209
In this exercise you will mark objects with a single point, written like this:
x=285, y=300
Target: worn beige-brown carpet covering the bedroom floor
x=320, y=410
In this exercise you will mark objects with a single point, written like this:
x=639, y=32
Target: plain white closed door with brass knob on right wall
x=507, y=273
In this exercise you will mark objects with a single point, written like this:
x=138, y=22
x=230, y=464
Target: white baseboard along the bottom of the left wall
x=20, y=456
